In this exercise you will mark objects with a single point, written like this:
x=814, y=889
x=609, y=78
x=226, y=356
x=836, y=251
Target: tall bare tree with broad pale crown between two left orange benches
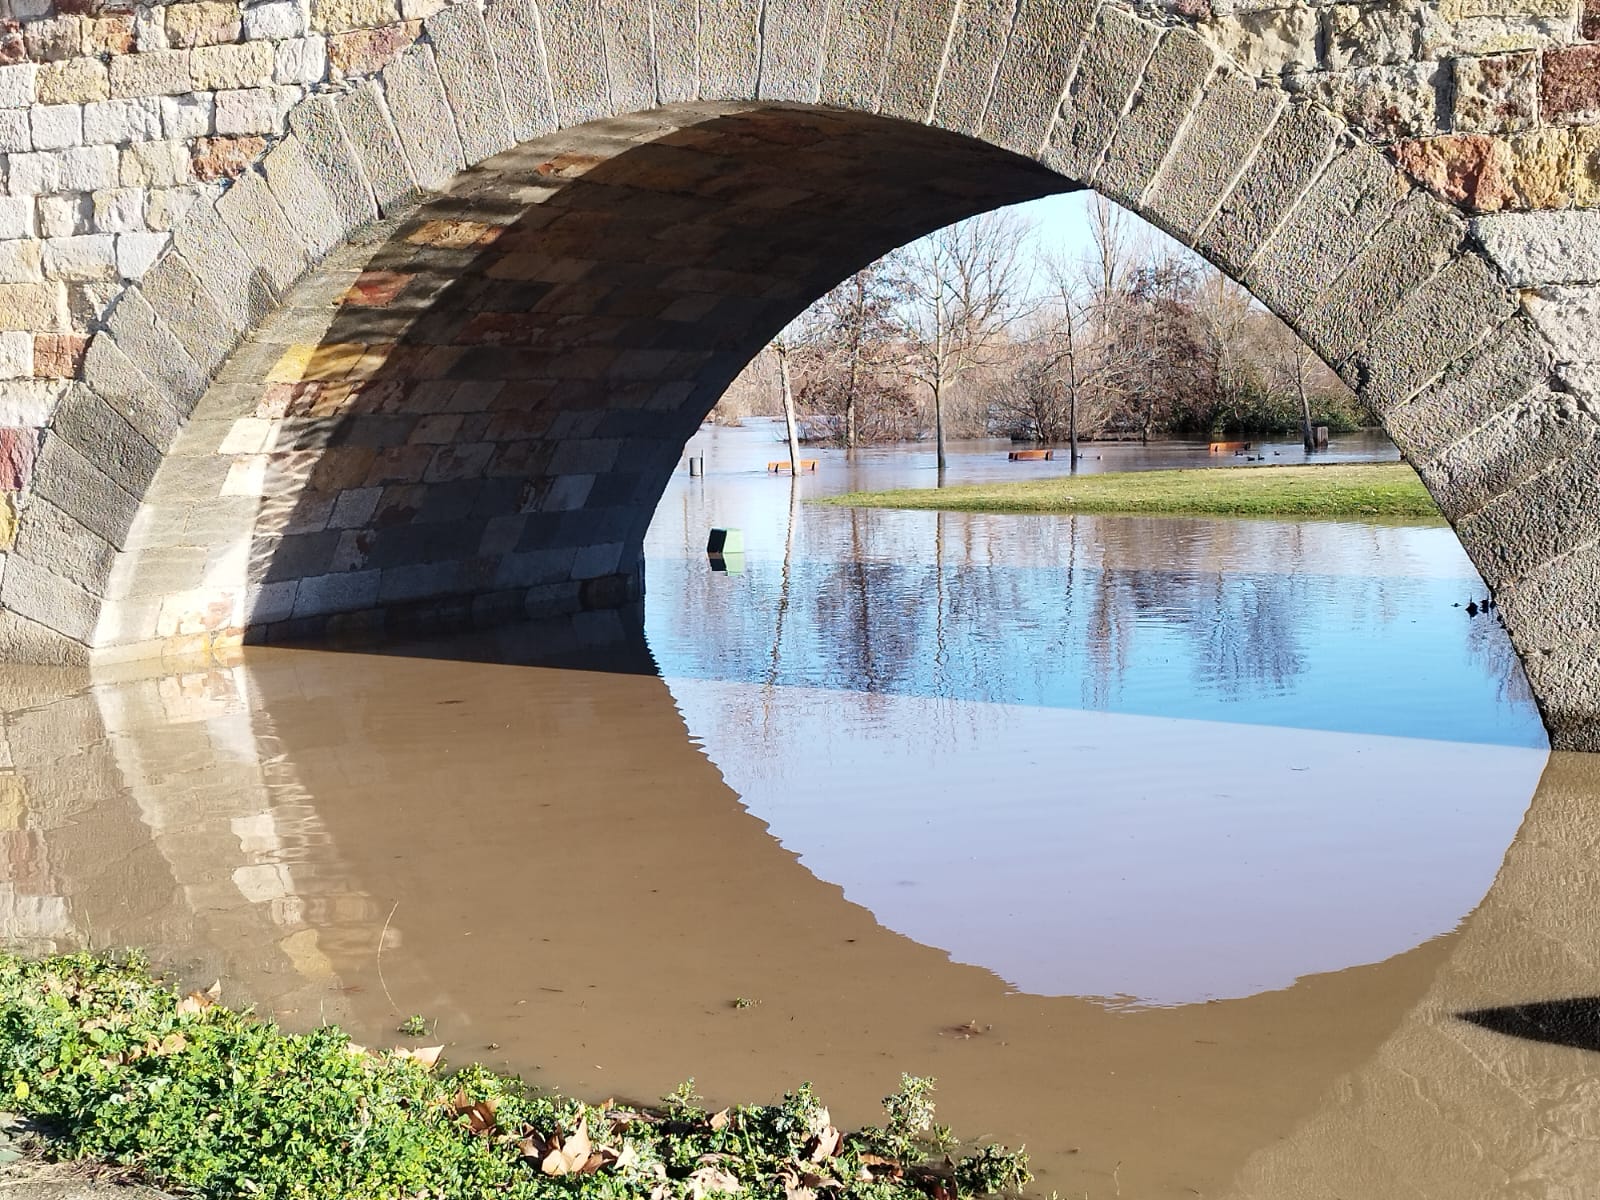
x=967, y=286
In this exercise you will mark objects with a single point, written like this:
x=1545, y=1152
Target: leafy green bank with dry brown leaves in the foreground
x=110, y=1065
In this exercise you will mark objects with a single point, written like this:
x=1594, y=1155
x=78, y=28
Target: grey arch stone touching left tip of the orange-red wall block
x=1326, y=231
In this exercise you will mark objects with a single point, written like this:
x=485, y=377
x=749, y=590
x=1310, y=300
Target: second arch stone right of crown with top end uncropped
x=1162, y=103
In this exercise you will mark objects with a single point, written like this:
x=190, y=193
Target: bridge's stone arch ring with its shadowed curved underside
x=518, y=145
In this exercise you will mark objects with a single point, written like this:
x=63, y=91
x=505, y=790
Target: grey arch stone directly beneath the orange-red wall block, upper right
x=1417, y=242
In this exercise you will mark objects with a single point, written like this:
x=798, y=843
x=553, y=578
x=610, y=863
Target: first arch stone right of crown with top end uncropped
x=1102, y=89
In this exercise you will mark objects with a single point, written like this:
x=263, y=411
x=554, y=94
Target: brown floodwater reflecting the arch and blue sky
x=1174, y=849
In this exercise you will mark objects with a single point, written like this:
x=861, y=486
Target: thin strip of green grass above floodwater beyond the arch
x=1390, y=490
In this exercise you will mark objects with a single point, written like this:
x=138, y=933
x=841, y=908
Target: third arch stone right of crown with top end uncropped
x=1225, y=132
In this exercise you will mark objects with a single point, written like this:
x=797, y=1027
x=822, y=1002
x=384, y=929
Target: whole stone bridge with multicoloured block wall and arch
x=330, y=316
